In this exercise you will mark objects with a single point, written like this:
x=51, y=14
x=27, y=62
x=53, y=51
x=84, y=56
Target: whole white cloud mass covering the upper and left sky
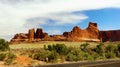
x=14, y=14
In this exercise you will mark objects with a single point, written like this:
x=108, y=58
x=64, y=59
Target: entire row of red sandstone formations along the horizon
x=90, y=34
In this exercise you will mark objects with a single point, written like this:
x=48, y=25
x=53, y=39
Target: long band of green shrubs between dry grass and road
x=85, y=52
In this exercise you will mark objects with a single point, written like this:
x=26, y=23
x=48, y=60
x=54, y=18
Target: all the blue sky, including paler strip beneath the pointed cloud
x=107, y=19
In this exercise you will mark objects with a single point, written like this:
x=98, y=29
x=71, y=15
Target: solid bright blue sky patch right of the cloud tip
x=107, y=19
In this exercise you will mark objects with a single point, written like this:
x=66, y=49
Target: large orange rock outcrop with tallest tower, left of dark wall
x=89, y=34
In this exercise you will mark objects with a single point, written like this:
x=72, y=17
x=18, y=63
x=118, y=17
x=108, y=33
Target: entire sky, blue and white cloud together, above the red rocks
x=56, y=16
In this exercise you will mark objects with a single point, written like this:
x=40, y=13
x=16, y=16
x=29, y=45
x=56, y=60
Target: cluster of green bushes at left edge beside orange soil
x=5, y=54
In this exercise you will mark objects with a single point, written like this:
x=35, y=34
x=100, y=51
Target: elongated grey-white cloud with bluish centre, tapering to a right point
x=57, y=19
